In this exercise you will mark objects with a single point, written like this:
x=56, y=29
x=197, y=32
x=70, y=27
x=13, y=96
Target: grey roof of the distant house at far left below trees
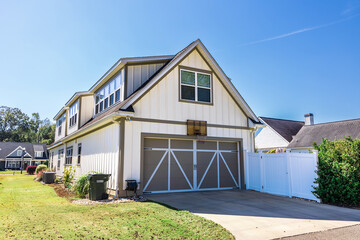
x=6, y=148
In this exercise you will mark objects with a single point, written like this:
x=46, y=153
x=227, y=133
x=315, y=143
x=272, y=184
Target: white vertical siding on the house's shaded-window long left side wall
x=100, y=153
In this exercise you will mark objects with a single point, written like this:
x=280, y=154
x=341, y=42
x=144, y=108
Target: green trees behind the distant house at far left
x=16, y=126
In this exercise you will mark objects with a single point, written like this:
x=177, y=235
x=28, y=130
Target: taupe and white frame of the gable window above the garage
x=196, y=71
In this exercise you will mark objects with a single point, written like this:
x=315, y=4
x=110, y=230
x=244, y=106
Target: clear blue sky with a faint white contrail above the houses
x=286, y=58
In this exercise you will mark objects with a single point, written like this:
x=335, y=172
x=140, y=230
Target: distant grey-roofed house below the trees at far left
x=11, y=154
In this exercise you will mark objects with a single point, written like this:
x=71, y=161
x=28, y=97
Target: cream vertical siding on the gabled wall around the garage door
x=162, y=102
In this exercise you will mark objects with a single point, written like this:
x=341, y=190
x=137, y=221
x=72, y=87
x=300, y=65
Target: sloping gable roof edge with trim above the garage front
x=211, y=62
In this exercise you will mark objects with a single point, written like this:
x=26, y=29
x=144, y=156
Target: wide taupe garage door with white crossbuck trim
x=173, y=165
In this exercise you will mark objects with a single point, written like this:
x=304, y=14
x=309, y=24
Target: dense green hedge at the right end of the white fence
x=339, y=172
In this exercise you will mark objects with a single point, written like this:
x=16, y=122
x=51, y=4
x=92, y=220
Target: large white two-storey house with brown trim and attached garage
x=172, y=123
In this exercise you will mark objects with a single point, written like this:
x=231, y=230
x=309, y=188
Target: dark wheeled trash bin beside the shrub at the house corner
x=97, y=187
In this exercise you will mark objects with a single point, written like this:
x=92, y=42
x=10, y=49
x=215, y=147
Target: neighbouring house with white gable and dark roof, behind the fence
x=277, y=133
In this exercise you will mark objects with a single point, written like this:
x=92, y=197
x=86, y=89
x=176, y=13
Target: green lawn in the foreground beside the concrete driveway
x=30, y=210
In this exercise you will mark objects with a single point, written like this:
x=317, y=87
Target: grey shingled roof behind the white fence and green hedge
x=315, y=133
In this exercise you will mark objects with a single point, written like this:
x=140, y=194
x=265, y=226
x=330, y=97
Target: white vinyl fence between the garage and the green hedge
x=287, y=174
